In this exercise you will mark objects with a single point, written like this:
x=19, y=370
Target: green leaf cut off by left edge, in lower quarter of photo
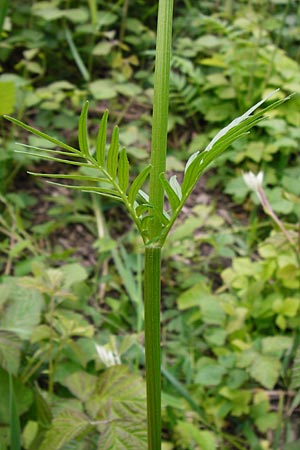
x=10, y=351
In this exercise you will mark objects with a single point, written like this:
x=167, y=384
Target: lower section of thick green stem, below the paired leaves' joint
x=152, y=345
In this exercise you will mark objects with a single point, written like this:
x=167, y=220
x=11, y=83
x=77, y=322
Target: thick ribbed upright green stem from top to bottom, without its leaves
x=156, y=193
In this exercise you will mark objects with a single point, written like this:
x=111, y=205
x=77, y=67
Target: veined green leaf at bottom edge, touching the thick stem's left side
x=123, y=435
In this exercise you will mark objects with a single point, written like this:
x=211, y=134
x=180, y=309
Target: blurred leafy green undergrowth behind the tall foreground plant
x=71, y=312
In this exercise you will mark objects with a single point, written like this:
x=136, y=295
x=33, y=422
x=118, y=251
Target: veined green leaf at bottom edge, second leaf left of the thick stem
x=66, y=426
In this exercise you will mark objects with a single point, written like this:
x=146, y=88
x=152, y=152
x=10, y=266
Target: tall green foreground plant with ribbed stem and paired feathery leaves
x=112, y=178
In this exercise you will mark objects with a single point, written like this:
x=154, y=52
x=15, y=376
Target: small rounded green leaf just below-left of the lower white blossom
x=81, y=384
